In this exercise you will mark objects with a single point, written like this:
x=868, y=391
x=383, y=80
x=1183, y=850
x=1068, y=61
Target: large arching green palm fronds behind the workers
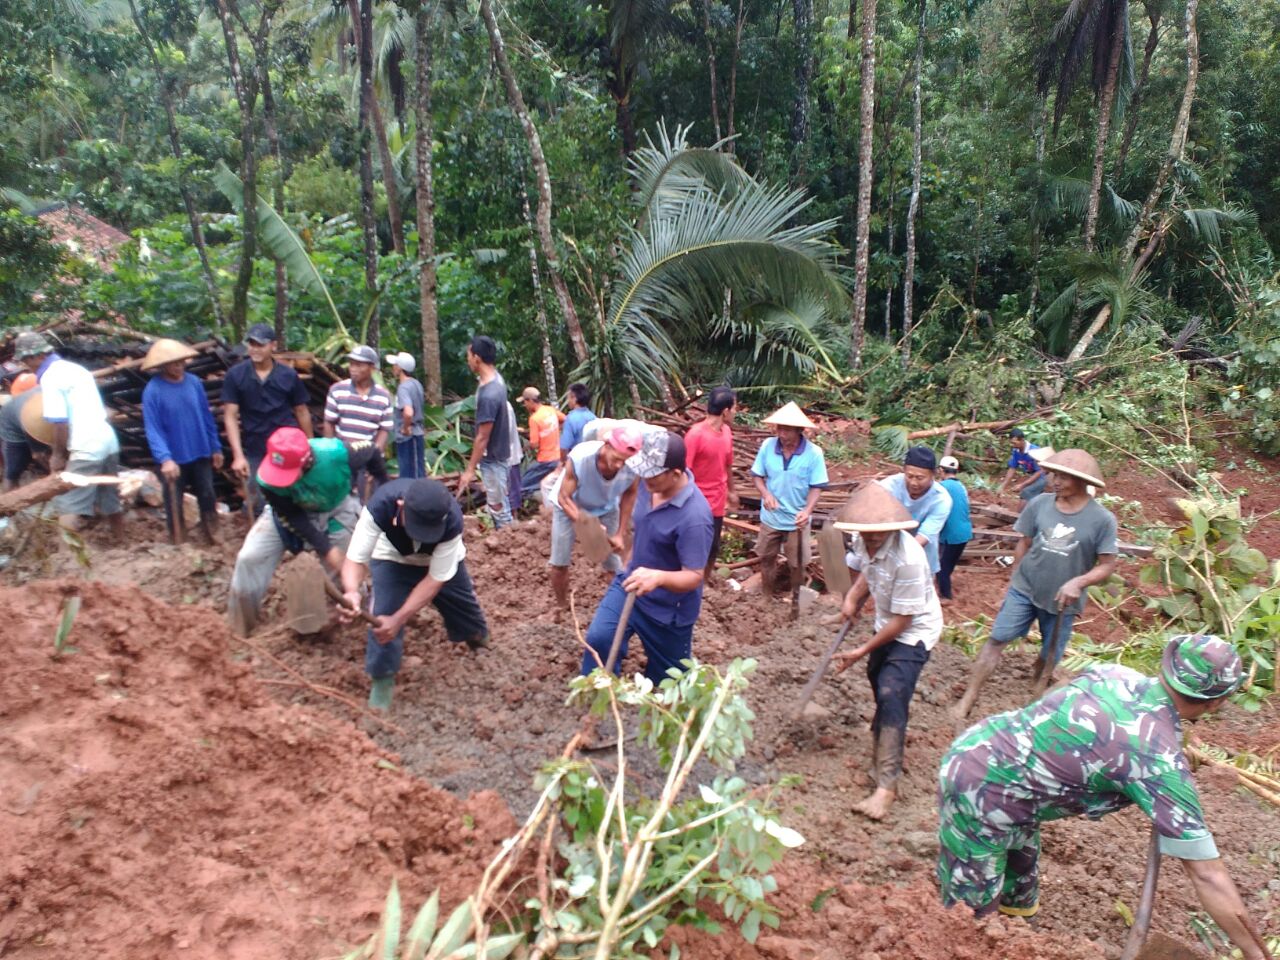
x=705, y=226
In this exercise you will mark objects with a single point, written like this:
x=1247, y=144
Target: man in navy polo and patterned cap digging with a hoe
x=669, y=556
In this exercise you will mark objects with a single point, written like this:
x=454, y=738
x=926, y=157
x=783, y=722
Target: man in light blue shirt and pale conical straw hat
x=790, y=474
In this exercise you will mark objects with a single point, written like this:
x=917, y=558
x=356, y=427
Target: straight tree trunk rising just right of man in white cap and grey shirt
x=424, y=136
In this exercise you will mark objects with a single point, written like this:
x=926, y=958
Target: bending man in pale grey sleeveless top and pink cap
x=596, y=482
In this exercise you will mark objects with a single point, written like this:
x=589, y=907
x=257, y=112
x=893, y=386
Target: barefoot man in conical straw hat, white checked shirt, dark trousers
x=895, y=573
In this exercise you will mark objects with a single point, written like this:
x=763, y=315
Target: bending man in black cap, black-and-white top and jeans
x=410, y=538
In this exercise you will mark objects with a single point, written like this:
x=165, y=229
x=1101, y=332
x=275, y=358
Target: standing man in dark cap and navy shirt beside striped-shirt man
x=259, y=397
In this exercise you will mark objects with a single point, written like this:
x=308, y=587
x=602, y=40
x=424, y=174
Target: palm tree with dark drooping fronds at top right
x=1098, y=29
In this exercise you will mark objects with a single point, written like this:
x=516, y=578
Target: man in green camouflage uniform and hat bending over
x=1109, y=739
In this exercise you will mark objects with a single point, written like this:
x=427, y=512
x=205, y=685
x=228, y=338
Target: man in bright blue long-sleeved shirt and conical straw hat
x=182, y=433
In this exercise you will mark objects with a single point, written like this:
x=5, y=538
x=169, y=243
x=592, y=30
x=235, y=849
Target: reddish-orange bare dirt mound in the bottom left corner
x=156, y=801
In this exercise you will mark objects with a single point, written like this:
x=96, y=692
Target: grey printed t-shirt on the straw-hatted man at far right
x=1064, y=546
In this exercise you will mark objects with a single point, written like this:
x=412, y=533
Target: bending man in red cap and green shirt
x=309, y=502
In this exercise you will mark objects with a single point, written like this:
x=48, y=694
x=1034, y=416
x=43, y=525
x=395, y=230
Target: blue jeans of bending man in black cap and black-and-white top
x=458, y=604
